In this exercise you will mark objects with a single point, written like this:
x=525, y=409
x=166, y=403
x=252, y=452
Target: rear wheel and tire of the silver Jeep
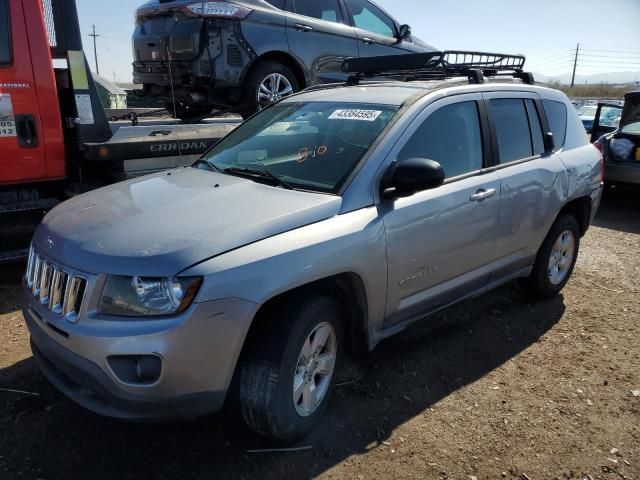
x=545, y=281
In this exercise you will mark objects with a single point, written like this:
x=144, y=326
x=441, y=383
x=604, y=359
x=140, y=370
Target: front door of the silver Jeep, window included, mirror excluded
x=441, y=243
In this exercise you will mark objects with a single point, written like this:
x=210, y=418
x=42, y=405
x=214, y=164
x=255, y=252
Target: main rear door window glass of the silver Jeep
x=512, y=129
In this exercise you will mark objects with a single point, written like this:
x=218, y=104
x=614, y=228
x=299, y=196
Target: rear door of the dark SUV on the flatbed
x=320, y=39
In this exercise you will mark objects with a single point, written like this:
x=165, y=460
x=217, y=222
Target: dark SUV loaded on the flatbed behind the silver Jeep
x=246, y=54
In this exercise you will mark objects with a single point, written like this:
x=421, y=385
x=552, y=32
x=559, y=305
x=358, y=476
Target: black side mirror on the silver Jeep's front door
x=405, y=178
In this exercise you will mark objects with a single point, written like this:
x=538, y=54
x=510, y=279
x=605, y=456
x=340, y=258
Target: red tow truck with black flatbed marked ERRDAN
x=55, y=139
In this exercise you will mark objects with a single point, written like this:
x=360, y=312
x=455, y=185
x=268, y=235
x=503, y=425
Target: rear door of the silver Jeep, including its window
x=530, y=176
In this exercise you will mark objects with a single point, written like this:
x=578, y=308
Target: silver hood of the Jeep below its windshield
x=163, y=223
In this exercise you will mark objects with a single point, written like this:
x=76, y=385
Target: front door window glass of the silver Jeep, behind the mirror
x=452, y=137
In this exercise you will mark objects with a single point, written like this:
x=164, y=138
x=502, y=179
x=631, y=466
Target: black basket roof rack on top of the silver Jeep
x=437, y=66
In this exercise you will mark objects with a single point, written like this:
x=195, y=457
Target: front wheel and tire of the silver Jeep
x=267, y=376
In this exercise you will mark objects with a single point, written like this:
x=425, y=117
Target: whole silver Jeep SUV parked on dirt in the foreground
x=329, y=221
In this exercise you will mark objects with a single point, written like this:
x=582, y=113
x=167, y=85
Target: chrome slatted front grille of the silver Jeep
x=52, y=285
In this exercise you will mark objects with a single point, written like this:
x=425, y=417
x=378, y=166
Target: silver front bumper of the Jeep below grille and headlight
x=199, y=352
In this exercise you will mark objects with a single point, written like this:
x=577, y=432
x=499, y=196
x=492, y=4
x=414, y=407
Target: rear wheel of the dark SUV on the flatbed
x=259, y=75
